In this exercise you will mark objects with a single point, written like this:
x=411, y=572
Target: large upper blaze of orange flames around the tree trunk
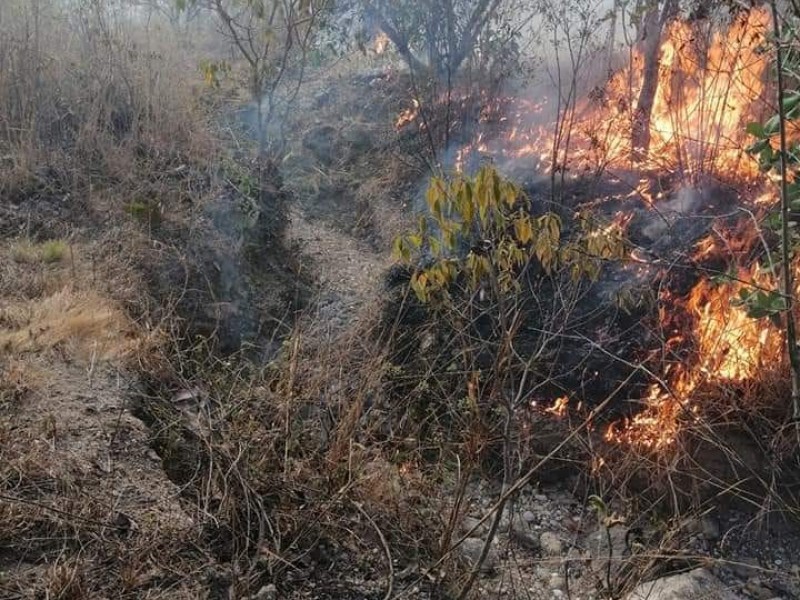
x=710, y=84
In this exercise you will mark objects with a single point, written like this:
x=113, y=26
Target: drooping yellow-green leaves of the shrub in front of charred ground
x=481, y=231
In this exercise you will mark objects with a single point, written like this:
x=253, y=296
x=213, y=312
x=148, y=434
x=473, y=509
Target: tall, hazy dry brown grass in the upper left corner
x=120, y=99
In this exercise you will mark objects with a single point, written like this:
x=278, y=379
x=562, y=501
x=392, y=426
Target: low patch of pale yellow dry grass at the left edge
x=81, y=324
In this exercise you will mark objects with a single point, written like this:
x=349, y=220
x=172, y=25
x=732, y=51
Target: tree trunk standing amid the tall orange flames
x=653, y=25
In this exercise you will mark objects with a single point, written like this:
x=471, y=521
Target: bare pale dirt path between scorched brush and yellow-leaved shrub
x=348, y=271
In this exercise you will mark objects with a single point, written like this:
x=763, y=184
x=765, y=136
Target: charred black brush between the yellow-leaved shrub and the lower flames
x=586, y=340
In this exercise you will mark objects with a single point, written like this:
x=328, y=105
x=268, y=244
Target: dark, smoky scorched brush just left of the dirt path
x=233, y=281
